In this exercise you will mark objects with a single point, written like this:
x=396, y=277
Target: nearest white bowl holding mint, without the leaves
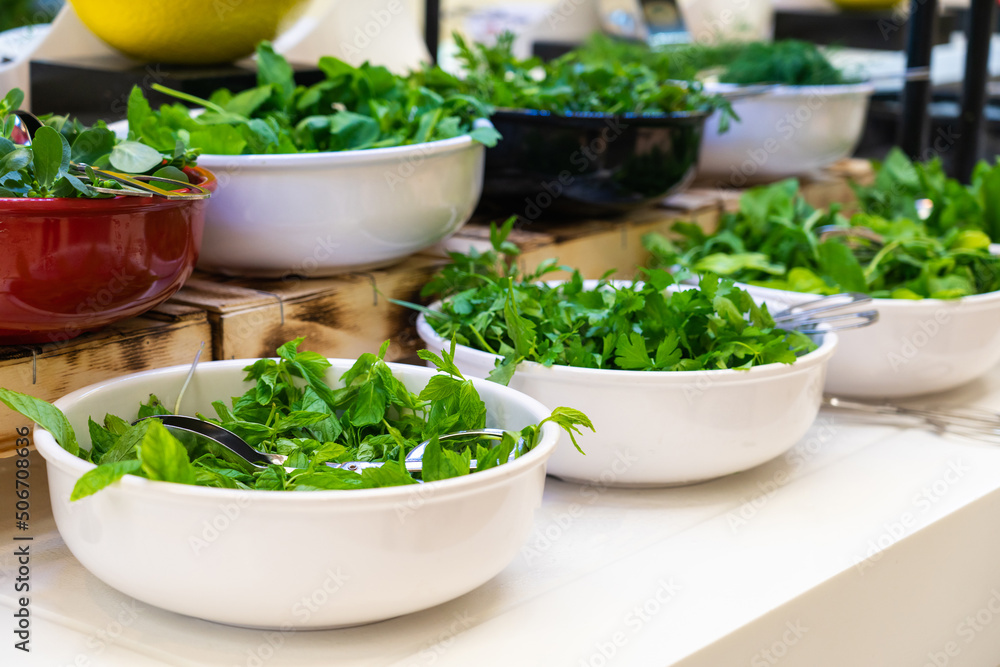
x=292, y=559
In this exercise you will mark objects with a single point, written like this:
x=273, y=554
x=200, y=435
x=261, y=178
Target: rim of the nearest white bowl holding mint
x=55, y=454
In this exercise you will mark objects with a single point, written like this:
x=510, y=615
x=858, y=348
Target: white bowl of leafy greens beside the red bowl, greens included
x=355, y=172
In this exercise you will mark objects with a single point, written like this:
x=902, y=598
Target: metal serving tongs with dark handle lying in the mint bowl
x=261, y=460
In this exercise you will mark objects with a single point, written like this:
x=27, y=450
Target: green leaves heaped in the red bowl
x=43, y=169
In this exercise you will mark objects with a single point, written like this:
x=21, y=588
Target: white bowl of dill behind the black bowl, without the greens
x=787, y=131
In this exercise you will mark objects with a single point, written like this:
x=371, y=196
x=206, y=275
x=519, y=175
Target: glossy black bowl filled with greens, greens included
x=584, y=135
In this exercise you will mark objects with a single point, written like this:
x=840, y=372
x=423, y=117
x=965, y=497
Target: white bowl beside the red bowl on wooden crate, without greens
x=320, y=214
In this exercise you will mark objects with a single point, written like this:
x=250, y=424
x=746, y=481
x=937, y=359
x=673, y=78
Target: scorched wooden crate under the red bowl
x=167, y=336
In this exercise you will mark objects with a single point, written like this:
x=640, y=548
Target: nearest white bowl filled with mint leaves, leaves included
x=307, y=546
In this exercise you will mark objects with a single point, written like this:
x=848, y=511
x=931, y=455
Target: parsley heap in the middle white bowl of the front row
x=490, y=305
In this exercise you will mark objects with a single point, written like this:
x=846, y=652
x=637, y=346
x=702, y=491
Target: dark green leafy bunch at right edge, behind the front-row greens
x=900, y=184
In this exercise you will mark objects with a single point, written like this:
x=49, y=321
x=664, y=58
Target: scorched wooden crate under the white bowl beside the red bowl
x=342, y=316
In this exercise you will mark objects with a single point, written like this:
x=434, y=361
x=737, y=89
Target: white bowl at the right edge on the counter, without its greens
x=916, y=347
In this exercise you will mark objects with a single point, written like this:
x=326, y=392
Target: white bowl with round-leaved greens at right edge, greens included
x=935, y=282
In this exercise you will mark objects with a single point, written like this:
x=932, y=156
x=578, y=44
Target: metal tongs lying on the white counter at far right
x=974, y=423
